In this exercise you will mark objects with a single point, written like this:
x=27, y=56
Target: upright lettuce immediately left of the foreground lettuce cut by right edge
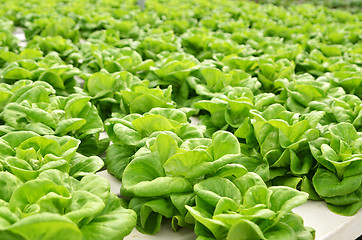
x=283, y=139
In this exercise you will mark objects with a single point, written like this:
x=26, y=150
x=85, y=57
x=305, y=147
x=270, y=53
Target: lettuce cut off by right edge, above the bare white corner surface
x=338, y=178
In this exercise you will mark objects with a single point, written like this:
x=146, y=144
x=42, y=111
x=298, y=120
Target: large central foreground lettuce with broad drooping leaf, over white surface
x=172, y=170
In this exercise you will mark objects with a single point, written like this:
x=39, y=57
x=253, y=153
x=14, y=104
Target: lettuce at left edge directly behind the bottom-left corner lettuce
x=26, y=155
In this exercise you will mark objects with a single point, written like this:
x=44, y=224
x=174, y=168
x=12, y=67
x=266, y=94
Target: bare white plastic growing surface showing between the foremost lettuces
x=328, y=226
